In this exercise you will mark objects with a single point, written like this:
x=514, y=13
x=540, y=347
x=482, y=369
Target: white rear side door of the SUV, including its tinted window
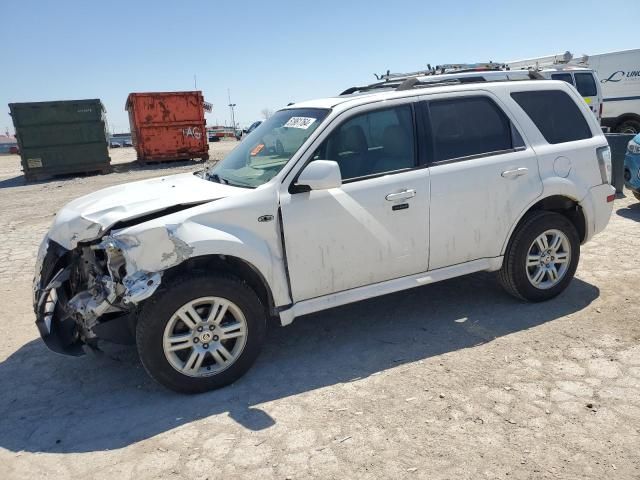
x=483, y=175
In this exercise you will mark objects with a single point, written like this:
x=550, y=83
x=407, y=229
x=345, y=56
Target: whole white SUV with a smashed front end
x=385, y=191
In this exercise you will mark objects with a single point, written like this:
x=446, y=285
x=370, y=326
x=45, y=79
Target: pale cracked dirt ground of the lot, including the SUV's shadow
x=453, y=380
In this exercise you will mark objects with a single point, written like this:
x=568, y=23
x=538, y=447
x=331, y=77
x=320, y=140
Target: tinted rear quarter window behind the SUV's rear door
x=555, y=114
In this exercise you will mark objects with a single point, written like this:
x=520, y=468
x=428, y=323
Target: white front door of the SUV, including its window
x=375, y=226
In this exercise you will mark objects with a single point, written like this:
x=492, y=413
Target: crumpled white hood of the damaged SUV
x=86, y=218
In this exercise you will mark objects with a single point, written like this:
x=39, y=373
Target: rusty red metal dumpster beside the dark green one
x=168, y=125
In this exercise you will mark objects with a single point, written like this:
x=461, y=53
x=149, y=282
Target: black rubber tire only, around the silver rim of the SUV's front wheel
x=158, y=310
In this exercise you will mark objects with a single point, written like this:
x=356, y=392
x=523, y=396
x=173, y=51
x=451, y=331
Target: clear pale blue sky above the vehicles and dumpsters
x=270, y=53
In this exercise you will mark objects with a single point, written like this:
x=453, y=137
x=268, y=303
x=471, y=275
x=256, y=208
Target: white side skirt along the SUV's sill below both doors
x=390, y=286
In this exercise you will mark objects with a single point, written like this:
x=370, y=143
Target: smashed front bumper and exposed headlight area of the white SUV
x=86, y=294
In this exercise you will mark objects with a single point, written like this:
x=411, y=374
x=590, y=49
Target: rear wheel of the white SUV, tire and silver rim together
x=541, y=258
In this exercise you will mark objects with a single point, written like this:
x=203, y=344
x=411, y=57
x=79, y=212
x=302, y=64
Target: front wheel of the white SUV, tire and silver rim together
x=200, y=332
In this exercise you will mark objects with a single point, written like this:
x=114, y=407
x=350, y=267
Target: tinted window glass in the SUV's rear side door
x=470, y=126
